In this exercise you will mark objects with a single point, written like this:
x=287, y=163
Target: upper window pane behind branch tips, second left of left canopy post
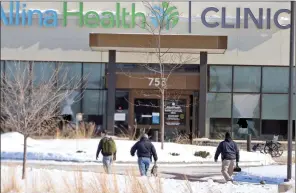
x=70, y=74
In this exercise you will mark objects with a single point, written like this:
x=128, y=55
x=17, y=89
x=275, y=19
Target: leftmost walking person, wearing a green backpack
x=108, y=148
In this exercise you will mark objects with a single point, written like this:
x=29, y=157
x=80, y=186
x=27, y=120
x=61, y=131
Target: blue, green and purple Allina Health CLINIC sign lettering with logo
x=18, y=14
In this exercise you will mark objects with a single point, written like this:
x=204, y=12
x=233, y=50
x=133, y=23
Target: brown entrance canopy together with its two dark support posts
x=144, y=43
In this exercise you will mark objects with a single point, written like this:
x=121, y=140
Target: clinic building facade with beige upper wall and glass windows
x=247, y=85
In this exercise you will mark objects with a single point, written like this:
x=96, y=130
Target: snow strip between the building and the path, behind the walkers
x=66, y=150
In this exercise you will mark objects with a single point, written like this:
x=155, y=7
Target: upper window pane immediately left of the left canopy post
x=94, y=74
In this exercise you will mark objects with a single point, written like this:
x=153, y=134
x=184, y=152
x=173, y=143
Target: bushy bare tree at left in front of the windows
x=28, y=102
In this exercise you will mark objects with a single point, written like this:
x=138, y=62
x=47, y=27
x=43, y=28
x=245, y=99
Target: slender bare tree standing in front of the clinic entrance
x=164, y=17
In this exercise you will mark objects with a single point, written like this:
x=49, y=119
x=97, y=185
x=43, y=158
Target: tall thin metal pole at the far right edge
x=291, y=80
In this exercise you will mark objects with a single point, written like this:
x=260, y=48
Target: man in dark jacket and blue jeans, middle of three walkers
x=145, y=150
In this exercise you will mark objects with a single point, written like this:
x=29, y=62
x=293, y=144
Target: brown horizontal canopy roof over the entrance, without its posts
x=169, y=43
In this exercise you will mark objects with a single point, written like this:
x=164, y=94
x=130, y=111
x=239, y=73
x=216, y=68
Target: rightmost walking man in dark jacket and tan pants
x=229, y=154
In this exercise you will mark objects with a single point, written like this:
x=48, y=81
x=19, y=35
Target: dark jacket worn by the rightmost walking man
x=228, y=150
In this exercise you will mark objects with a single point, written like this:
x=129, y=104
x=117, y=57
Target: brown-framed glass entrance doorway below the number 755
x=146, y=116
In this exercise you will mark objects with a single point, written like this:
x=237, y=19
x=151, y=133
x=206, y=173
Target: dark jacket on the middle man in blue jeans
x=144, y=148
